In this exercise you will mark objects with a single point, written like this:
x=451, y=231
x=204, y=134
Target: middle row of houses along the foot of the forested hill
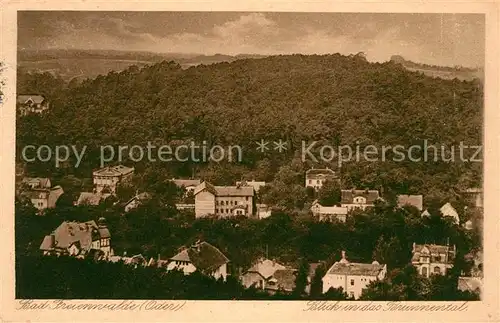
x=228, y=201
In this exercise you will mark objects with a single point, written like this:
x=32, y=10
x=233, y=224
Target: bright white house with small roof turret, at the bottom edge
x=352, y=277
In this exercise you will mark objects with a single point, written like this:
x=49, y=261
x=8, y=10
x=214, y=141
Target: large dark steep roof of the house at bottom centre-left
x=205, y=257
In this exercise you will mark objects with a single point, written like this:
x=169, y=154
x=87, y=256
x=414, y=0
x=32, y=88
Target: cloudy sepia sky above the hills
x=438, y=39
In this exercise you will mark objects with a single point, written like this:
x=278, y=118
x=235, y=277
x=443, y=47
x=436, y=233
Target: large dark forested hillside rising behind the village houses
x=331, y=98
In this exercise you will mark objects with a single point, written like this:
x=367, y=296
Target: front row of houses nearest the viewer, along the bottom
x=91, y=239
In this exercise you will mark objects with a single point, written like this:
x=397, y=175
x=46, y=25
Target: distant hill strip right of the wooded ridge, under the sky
x=444, y=72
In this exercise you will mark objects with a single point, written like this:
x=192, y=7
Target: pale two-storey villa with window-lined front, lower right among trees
x=431, y=259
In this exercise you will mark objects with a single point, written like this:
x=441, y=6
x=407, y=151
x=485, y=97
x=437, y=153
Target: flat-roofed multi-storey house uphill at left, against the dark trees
x=107, y=178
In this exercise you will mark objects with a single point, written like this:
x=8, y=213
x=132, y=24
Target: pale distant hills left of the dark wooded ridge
x=82, y=64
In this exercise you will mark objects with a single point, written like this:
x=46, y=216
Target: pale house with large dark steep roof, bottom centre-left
x=202, y=257
